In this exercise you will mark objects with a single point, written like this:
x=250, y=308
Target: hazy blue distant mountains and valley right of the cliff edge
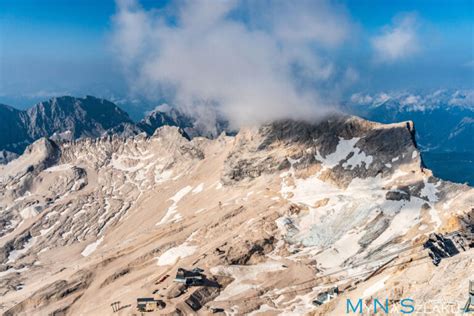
x=444, y=122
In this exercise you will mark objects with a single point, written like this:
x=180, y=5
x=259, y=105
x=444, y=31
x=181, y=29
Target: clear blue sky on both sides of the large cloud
x=54, y=47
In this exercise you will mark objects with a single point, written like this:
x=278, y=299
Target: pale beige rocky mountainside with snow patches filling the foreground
x=275, y=216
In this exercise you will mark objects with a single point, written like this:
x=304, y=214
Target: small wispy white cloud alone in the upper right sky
x=397, y=41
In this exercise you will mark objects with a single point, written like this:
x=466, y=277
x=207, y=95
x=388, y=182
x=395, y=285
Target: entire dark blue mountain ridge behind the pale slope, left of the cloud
x=68, y=118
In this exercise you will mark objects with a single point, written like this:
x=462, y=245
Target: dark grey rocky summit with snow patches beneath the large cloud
x=350, y=146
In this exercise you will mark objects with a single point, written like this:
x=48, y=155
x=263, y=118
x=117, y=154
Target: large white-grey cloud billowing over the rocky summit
x=221, y=58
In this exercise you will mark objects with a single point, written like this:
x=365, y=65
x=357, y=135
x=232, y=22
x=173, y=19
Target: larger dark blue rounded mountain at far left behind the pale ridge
x=61, y=118
